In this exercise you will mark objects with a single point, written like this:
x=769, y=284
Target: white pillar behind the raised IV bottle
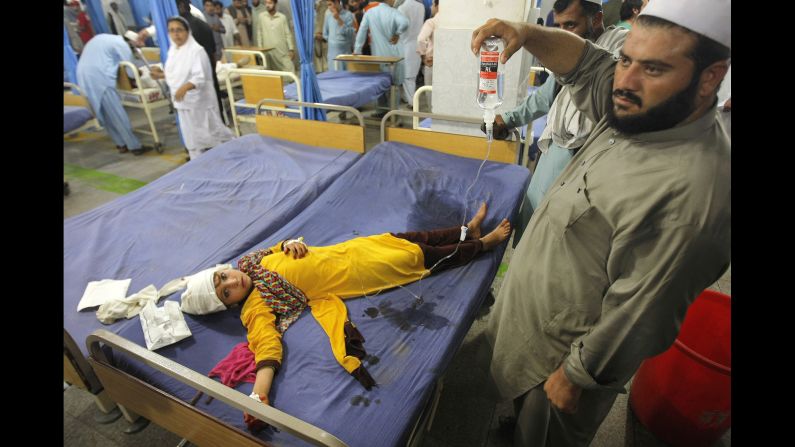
x=455, y=68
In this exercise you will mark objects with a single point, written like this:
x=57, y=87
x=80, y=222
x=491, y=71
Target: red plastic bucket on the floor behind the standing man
x=683, y=395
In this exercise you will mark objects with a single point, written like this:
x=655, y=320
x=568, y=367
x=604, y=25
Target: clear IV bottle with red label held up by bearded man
x=490, y=80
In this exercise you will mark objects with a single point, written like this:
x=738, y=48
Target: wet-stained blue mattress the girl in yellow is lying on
x=394, y=187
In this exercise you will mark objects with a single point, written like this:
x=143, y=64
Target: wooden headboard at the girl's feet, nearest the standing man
x=505, y=151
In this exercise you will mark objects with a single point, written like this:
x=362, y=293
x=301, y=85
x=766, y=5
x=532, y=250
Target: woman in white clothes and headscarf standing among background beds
x=189, y=77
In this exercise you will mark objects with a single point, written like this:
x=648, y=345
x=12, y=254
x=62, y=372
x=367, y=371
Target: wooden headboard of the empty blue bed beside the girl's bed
x=310, y=132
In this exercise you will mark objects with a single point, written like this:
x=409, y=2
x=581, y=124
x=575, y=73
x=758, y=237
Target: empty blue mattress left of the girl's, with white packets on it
x=202, y=213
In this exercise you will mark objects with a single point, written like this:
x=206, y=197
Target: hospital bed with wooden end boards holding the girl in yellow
x=397, y=186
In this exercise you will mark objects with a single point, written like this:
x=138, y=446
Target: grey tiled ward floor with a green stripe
x=464, y=417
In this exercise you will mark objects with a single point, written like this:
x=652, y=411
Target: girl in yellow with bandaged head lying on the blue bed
x=277, y=284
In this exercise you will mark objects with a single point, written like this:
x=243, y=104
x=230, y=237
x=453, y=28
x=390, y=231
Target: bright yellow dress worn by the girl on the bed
x=327, y=275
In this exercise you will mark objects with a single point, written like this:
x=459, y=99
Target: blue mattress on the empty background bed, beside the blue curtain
x=342, y=88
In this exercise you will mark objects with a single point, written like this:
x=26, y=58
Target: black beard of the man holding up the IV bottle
x=665, y=115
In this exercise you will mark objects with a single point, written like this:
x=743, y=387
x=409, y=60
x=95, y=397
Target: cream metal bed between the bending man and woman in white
x=138, y=97
